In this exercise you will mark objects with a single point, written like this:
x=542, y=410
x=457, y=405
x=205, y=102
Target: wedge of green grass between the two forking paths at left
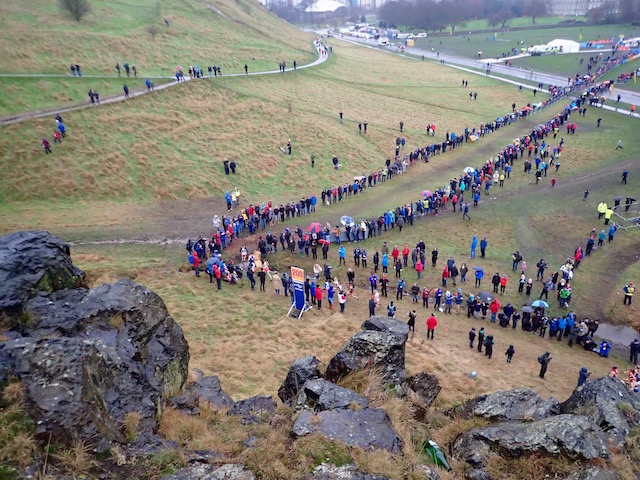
x=26, y=94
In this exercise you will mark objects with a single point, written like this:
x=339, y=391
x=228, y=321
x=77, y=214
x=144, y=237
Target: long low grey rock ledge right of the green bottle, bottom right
x=571, y=435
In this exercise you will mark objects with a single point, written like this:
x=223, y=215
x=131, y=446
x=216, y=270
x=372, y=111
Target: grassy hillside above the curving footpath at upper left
x=38, y=37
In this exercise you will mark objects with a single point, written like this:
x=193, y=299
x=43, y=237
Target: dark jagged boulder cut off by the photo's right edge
x=609, y=403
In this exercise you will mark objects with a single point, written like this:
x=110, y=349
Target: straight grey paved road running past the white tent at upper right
x=627, y=96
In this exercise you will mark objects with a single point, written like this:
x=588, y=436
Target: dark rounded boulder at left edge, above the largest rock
x=33, y=261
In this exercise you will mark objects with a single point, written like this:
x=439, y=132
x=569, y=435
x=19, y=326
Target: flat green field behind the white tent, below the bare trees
x=468, y=45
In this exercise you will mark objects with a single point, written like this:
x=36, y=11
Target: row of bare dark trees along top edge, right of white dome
x=431, y=15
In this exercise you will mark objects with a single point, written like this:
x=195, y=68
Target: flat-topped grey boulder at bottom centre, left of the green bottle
x=369, y=428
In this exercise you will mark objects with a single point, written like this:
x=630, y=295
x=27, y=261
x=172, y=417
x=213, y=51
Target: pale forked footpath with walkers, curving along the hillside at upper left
x=21, y=117
